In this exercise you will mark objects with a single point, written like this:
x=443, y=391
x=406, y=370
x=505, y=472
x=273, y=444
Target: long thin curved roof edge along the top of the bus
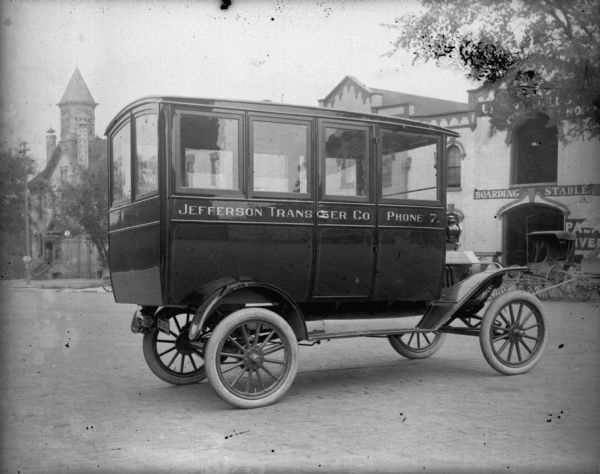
x=272, y=107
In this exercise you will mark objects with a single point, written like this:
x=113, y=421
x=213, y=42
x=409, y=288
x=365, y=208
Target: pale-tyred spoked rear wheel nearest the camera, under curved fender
x=251, y=358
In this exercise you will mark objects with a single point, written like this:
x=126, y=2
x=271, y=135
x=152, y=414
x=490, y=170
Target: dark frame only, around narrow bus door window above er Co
x=324, y=124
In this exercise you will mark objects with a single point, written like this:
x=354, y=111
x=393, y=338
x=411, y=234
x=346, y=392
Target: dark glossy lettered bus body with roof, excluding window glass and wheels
x=165, y=245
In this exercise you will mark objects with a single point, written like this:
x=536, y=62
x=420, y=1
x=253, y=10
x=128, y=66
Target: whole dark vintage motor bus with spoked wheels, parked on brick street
x=242, y=229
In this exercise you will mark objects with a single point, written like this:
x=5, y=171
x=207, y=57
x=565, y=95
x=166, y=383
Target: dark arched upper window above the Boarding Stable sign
x=535, y=152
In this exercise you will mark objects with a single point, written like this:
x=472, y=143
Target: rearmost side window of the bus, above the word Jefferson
x=209, y=151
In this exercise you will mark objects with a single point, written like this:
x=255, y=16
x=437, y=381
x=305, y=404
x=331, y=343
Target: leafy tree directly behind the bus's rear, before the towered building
x=84, y=204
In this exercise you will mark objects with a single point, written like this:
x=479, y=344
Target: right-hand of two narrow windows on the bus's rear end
x=146, y=144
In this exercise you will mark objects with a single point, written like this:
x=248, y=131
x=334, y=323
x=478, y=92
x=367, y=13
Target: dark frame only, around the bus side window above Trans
x=288, y=120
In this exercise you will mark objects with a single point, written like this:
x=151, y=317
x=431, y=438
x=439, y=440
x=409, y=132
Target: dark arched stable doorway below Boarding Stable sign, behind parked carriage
x=521, y=220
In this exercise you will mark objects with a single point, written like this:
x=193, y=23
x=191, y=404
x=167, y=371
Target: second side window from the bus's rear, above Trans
x=279, y=156
